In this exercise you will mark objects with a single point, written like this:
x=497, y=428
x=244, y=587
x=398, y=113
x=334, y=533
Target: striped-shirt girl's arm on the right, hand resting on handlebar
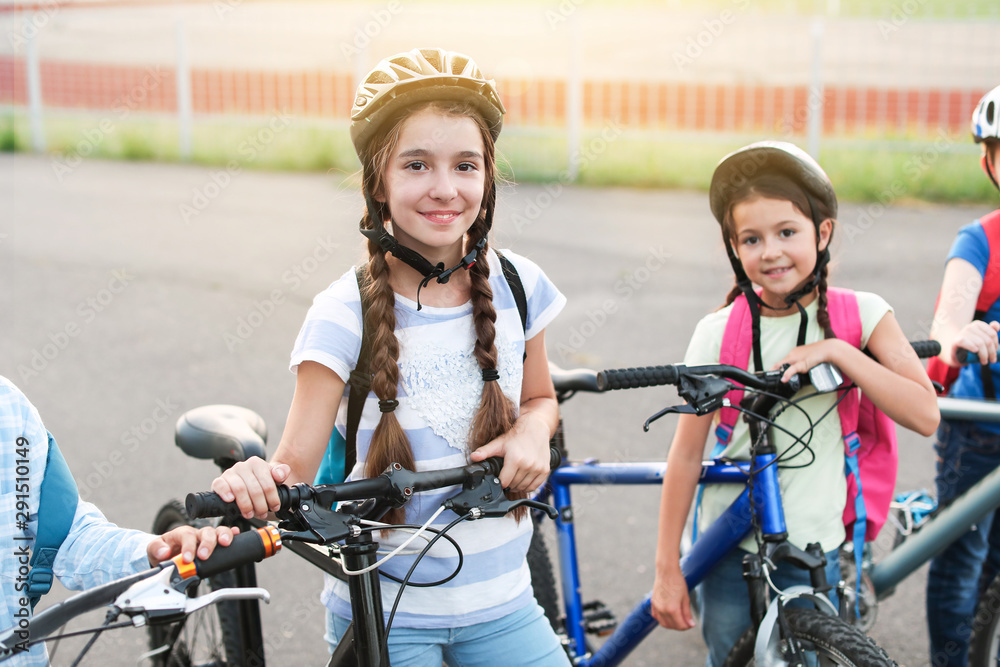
x=525, y=448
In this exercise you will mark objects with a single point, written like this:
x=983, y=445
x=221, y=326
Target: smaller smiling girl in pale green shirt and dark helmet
x=777, y=210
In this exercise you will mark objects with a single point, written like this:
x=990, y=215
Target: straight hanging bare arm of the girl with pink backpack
x=670, y=600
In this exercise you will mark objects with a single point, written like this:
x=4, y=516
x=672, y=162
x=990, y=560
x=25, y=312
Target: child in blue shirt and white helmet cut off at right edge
x=967, y=318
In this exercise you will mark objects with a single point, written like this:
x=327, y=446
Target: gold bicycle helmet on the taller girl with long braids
x=417, y=76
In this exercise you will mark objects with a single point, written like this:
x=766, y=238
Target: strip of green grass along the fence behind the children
x=907, y=168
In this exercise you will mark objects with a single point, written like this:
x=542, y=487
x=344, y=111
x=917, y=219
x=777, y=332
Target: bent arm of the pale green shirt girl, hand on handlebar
x=897, y=384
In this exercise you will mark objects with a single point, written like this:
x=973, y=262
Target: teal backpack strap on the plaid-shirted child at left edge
x=56, y=511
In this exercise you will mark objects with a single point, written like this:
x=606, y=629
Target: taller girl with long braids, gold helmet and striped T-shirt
x=454, y=374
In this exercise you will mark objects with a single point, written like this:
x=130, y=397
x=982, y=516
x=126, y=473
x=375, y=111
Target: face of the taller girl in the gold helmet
x=435, y=183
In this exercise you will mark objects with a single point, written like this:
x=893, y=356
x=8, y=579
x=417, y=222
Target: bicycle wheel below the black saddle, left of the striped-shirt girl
x=210, y=636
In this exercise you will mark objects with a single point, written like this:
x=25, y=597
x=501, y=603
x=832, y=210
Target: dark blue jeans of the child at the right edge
x=966, y=454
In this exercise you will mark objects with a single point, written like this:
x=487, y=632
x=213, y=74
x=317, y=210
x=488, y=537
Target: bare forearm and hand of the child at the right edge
x=953, y=325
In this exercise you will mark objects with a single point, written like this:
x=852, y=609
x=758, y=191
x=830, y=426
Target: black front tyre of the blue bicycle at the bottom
x=826, y=640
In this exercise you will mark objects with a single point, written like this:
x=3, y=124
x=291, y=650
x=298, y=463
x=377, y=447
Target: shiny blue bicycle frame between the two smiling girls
x=712, y=545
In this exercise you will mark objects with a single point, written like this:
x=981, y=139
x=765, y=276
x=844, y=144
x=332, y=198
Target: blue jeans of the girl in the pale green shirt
x=725, y=600
